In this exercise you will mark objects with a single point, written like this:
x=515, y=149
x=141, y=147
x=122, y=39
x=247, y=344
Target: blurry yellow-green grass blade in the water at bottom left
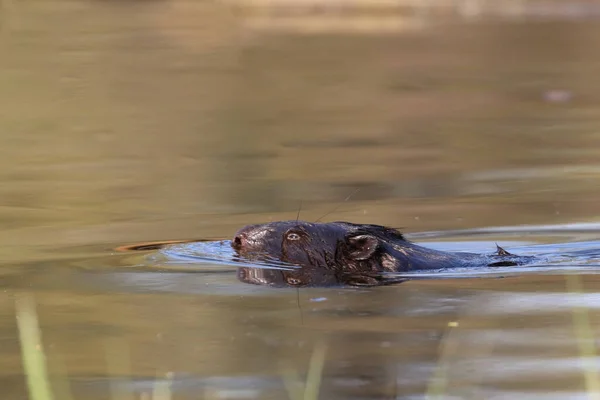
x=34, y=358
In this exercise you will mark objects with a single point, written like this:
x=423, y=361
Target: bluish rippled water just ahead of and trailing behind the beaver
x=558, y=258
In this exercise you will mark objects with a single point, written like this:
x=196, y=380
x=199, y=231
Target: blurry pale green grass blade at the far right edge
x=585, y=341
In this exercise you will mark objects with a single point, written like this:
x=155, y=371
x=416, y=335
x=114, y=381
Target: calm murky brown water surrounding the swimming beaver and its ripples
x=123, y=122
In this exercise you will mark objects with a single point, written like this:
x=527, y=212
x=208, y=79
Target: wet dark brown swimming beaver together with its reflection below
x=342, y=253
